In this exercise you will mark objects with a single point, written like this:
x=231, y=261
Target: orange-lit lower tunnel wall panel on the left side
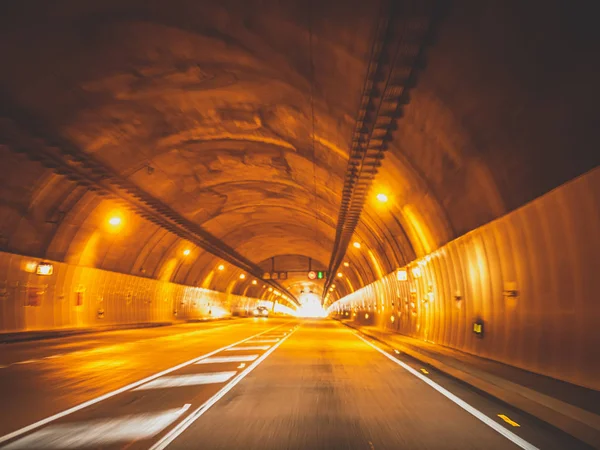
x=75, y=296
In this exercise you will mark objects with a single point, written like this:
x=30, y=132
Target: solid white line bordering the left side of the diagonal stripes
x=91, y=402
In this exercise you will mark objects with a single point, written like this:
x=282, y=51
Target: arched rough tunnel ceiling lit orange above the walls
x=239, y=116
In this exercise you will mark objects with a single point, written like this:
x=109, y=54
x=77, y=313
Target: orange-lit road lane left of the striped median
x=31, y=392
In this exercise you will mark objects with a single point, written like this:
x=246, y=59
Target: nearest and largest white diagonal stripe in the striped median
x=99, y=432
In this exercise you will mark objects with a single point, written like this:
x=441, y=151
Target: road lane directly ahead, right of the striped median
x=325, y=388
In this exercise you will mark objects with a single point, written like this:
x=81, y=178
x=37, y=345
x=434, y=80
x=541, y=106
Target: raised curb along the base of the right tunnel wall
x=581, y=424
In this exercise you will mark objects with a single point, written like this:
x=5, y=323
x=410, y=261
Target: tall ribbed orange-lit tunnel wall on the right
x=530, y=277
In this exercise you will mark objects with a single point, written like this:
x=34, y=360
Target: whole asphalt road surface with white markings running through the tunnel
x=245, y=384
